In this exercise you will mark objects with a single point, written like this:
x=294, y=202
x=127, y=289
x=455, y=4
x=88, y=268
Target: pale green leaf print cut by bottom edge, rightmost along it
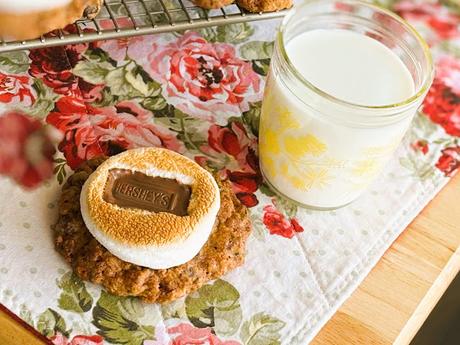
x=261, y=329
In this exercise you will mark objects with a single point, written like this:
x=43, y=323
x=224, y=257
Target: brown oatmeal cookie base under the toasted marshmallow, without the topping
x=223, y=251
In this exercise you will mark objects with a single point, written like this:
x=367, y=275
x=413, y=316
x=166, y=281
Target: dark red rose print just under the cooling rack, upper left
x=54, y=66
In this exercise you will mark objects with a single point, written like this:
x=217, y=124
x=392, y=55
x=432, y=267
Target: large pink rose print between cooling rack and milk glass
x=203, y=79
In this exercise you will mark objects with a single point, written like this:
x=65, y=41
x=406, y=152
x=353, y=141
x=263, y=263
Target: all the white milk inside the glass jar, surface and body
x=312, y=149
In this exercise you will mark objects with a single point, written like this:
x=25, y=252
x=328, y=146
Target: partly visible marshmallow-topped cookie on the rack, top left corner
x=27, y=19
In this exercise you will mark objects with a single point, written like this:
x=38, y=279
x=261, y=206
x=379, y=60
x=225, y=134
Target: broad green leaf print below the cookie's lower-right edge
x=215, y=305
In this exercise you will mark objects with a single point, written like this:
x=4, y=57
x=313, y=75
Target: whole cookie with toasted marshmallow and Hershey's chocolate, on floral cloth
x=150, y=223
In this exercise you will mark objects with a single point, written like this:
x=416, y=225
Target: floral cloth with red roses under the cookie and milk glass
x=301, y=265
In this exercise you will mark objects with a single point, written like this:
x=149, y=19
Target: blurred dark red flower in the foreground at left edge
x=26, y=150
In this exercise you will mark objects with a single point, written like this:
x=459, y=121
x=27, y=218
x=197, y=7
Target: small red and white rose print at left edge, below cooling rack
x=15, y=88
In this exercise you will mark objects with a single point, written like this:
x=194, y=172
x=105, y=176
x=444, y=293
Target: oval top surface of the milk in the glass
x=351, y=66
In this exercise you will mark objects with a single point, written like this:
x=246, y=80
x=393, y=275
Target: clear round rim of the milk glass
x=407, y=102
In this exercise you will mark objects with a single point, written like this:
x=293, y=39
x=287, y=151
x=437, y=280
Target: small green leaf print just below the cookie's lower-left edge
x=74, y=296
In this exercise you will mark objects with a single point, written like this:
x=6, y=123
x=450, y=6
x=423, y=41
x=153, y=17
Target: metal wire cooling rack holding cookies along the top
x=123, y=18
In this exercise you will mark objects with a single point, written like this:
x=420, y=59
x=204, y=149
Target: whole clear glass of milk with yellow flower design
x=345, y=81
